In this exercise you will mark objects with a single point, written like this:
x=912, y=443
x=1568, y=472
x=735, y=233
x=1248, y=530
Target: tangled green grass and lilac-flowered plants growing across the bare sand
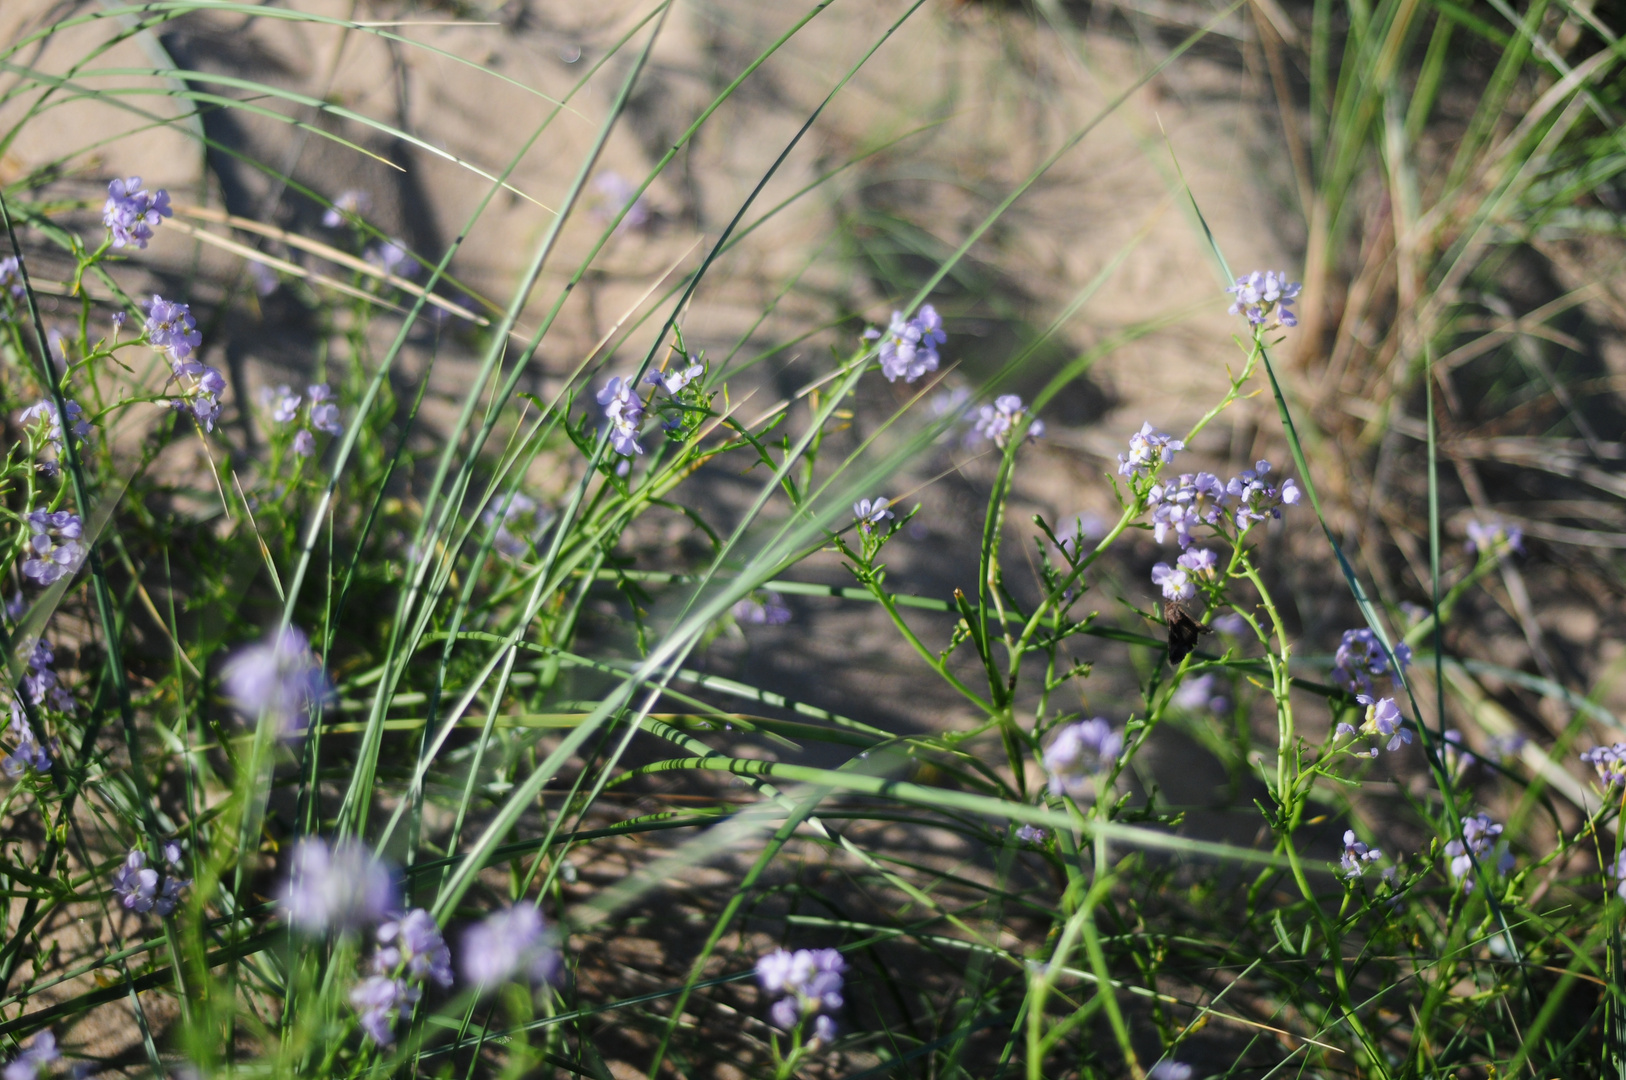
x=354, y=752
